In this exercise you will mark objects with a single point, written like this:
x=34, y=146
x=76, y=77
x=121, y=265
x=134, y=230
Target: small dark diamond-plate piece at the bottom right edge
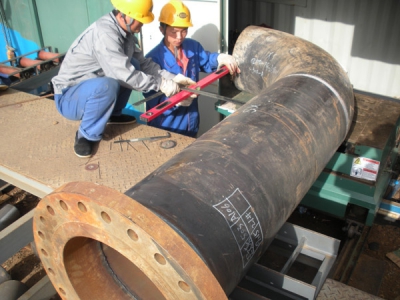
x=334, y=290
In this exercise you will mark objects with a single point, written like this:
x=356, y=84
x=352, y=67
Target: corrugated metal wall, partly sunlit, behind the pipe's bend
x=363, y=35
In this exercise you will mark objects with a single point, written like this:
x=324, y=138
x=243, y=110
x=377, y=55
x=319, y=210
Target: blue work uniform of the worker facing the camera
x=181, y=119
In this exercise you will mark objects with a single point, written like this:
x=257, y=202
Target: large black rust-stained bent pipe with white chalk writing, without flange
x=229, y=192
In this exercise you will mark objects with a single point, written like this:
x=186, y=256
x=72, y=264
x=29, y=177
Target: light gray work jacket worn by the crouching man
x=105, y=49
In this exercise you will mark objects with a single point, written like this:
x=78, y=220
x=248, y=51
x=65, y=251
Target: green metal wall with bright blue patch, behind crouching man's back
x=29, y=25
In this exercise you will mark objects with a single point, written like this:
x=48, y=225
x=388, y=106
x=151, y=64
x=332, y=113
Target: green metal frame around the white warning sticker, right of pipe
x=334, y=190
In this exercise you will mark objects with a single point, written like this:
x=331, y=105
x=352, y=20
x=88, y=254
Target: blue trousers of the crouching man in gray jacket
x=93, y=102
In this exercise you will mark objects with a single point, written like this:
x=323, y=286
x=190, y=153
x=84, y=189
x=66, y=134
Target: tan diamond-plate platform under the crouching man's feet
x=37, y=142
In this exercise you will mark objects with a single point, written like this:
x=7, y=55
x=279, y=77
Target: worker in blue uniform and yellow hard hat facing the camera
x=185, y=57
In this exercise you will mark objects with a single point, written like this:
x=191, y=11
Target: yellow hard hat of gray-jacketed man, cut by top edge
x=140, y=10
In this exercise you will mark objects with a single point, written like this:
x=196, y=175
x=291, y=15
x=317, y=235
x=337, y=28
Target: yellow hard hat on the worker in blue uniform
x=175, y=14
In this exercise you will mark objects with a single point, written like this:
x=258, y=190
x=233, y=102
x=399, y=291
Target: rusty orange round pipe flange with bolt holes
x=93, y=239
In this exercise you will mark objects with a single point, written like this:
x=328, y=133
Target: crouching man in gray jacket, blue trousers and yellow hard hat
x=101, y=68
